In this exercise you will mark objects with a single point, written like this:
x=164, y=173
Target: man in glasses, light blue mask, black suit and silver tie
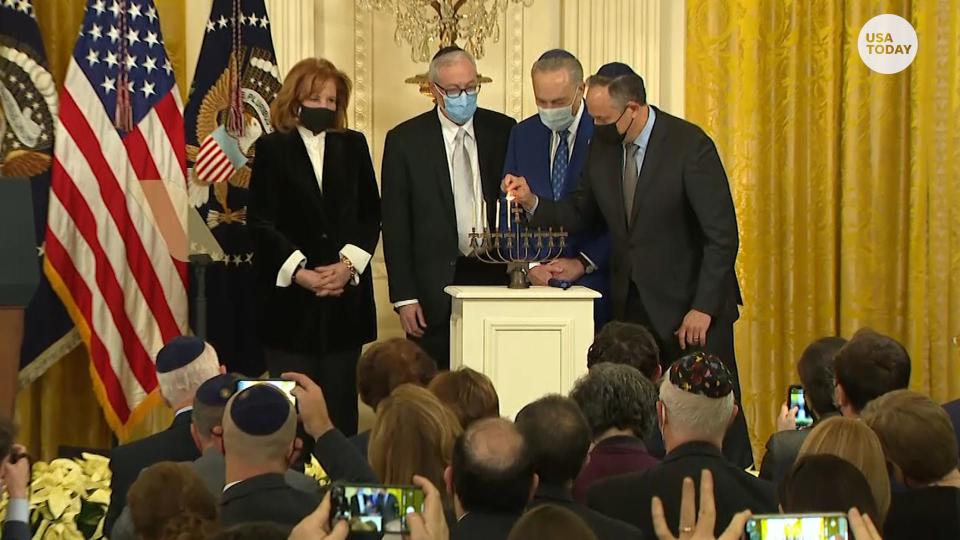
x=440, y=181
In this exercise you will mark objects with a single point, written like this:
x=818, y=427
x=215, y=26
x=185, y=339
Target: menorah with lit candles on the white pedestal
x=517, y=249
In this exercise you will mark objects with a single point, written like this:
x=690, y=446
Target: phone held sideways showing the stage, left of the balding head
x=374, y=508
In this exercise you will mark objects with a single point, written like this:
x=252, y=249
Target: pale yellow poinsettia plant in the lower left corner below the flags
x=68, y=498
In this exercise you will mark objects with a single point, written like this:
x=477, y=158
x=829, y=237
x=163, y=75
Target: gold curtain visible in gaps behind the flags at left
x=59, y=408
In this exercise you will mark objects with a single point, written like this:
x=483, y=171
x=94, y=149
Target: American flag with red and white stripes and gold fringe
x=116, y=241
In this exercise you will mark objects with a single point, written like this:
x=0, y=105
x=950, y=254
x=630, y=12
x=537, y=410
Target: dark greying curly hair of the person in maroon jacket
x=616, y=396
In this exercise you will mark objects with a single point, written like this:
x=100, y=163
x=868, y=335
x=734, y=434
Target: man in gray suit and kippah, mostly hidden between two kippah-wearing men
x=207, y=430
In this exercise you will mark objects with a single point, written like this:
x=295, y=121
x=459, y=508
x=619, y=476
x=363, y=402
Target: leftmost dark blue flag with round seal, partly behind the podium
x=28, y=109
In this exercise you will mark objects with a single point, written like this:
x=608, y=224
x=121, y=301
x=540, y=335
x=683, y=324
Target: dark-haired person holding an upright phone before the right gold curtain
x=815, y=369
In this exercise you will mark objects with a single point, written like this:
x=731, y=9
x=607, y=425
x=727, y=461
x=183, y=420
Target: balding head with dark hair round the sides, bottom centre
x=492, y=469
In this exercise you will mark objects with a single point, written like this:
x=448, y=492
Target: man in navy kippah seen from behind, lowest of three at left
x=259, y=432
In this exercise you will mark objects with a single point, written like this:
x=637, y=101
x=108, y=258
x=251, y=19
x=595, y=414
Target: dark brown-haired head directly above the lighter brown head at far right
x=867, y=367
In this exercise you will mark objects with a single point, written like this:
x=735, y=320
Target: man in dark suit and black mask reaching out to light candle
x=657, y=183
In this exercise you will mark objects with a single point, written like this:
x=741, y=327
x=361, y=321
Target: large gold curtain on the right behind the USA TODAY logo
x=846, y=182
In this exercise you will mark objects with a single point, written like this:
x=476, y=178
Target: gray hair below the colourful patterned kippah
x=694, y=414
